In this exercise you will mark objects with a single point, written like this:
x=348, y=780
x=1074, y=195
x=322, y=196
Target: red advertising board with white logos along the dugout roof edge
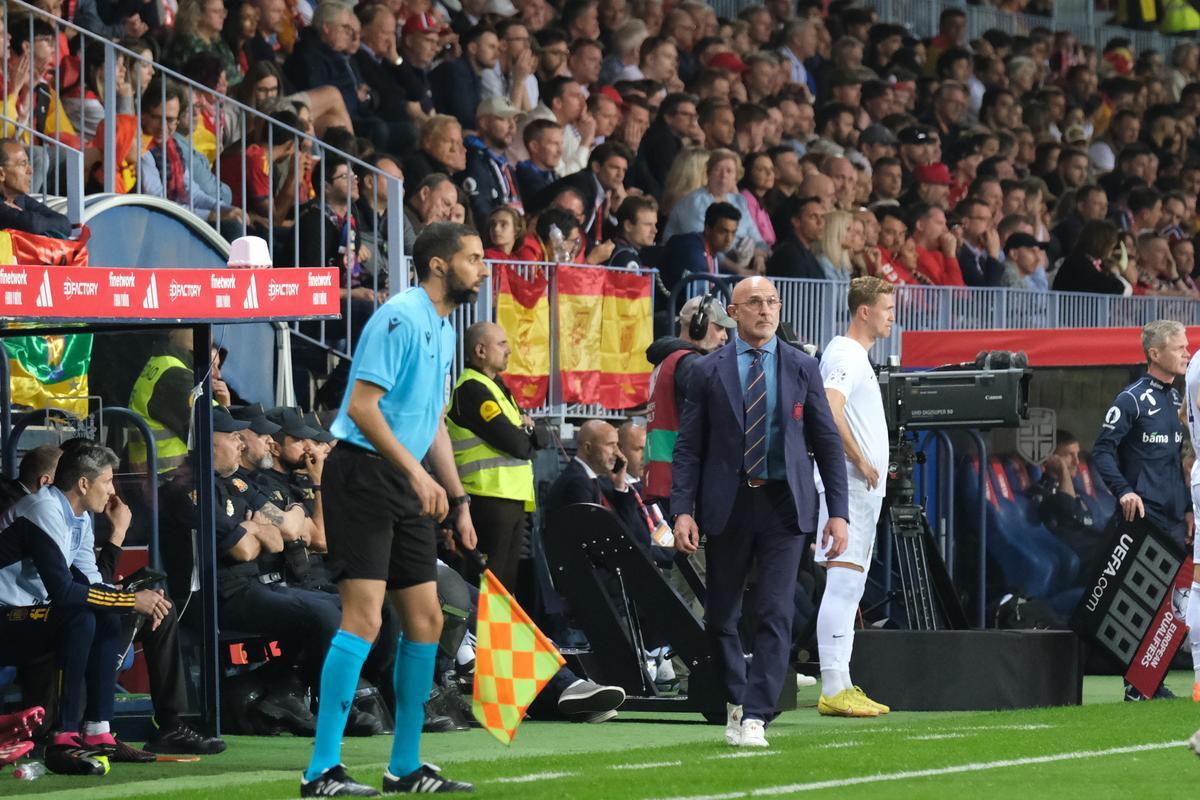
x=107, y=294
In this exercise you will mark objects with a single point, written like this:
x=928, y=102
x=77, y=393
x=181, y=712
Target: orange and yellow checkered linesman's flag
x=514, y=660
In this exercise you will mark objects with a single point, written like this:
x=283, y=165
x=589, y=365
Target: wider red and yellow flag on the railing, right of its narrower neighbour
x=605, y=323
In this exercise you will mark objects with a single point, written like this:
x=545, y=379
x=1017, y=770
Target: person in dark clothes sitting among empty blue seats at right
x=1061, y=510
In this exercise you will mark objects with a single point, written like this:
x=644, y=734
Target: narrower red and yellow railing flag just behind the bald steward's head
x=523, y=310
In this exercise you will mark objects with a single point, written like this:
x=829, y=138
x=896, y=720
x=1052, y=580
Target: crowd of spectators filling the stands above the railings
x=800, y=140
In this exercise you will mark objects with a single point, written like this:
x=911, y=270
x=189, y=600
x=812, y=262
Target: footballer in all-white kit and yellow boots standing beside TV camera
x=857, y=406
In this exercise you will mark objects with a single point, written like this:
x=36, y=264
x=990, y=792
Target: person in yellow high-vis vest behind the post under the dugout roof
x=163, y=396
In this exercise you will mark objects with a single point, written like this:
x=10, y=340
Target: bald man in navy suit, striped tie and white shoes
x=743, y=476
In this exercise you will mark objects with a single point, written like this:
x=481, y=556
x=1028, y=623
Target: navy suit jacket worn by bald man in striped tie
x=709, y=453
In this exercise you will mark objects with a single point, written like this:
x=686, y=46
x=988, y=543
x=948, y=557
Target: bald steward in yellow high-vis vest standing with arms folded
x=494, y=442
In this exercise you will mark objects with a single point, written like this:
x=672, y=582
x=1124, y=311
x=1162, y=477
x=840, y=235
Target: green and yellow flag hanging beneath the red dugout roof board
x=50, y=371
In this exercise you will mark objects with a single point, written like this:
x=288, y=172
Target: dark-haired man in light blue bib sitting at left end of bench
x=53, y=601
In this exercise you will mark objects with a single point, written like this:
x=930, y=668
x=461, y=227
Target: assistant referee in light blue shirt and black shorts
x=382, y=508
